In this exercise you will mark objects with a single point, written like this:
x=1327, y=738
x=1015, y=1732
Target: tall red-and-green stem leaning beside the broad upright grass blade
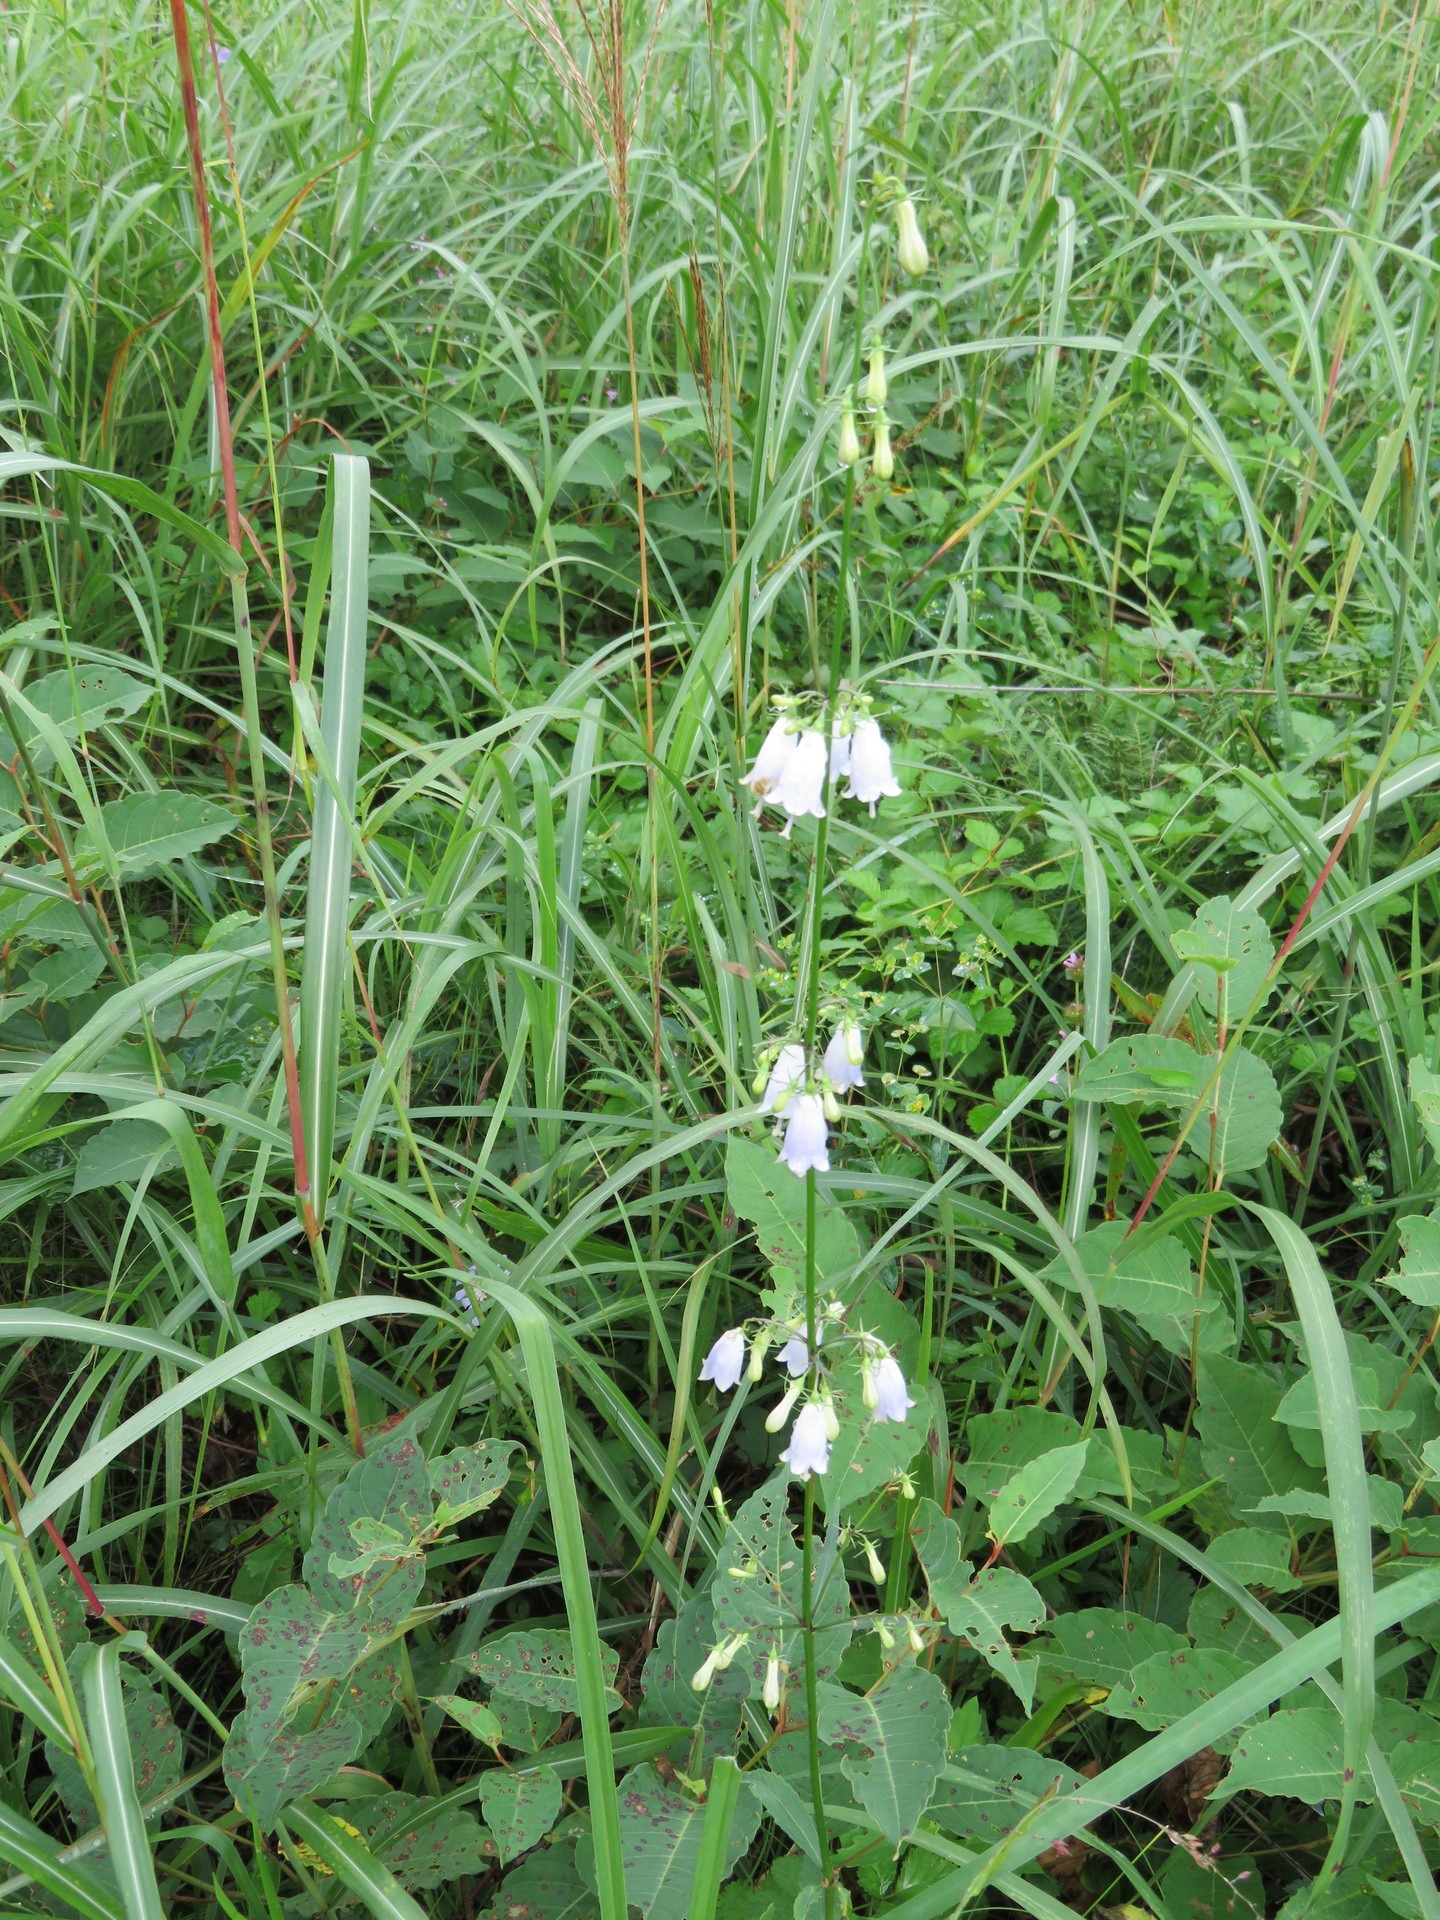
x=245, y=646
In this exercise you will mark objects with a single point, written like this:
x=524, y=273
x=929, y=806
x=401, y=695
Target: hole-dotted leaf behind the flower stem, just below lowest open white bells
x=757, y=1591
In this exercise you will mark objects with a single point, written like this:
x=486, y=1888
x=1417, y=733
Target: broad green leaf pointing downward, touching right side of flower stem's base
x=894, y=1744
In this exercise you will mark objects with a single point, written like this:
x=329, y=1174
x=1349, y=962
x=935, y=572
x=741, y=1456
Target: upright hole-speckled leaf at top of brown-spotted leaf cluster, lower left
x=391, y=1487
